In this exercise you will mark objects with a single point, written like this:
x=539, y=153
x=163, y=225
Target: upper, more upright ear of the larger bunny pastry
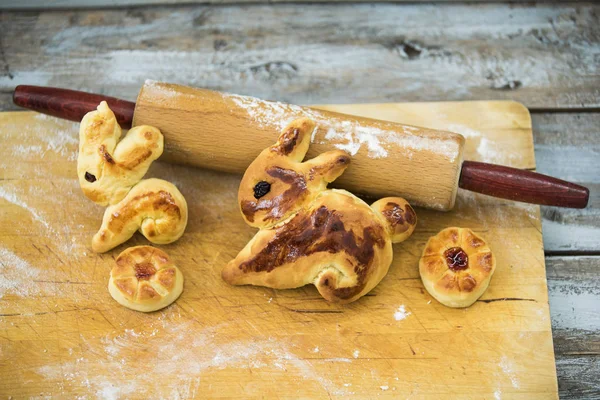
x=294, y=140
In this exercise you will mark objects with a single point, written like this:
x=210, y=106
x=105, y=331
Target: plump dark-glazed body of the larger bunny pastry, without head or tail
x=337, y=243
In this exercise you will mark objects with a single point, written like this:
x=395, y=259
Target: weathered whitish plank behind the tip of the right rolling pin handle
x=567, y=145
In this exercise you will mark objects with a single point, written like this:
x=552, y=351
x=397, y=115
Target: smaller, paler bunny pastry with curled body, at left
x=110, y=173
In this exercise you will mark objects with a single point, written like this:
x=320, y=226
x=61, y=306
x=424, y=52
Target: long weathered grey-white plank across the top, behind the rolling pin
x=542, y=55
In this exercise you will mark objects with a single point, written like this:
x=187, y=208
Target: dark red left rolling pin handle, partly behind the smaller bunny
x=70, y=104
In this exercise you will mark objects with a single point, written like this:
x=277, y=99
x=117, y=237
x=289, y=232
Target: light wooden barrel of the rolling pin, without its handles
x=226, y=132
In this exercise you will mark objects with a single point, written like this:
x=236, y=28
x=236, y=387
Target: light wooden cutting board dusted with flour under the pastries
x=62, y=335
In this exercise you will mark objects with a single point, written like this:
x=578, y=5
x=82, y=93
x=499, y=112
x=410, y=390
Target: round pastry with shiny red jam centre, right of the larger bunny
x=456, y=267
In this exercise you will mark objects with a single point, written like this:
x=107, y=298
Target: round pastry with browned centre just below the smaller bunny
x=144, y=279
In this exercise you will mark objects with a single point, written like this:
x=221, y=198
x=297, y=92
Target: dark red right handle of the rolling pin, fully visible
x=520, y=185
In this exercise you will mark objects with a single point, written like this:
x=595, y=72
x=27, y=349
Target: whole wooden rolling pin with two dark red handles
x=226, y=132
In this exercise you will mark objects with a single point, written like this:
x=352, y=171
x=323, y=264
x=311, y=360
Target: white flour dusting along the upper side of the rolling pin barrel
x=346, y=135
